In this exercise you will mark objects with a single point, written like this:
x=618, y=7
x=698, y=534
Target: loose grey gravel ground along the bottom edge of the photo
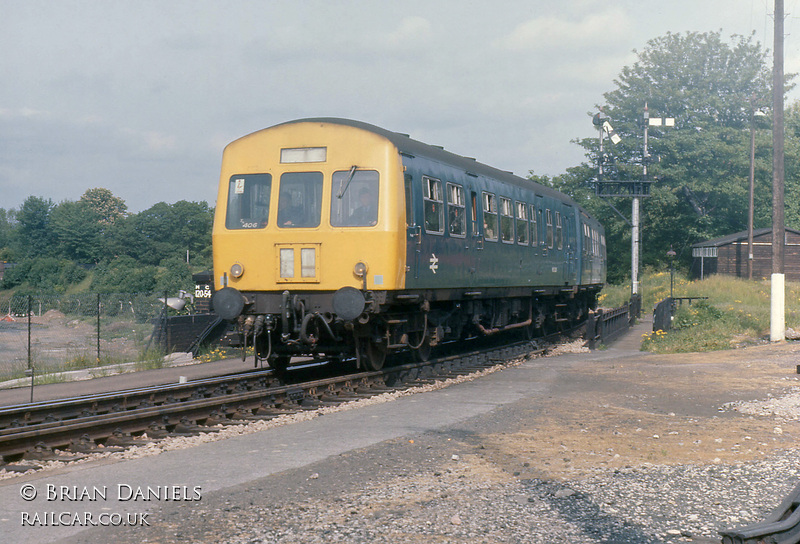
x=639, y=506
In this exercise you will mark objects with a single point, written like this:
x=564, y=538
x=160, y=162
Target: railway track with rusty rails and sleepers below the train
x=68, y=429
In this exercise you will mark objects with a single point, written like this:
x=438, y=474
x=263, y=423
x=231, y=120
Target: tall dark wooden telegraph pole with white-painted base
x=777, y=295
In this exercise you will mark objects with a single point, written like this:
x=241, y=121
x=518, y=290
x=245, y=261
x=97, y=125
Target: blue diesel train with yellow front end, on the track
x=340, y=238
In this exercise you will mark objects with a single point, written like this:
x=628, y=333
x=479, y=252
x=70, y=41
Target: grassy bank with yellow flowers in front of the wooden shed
x=736, y=314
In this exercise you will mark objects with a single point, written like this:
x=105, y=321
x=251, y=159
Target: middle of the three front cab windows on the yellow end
x=300, y=200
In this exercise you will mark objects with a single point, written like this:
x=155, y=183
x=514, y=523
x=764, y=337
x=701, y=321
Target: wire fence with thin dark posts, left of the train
x=59, y=333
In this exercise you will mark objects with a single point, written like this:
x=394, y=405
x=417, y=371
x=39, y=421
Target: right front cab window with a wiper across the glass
x=354, y=198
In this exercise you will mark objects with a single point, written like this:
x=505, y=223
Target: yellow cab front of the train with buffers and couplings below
x=309, y=235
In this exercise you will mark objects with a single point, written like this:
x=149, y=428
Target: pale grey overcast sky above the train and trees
x=141, y=97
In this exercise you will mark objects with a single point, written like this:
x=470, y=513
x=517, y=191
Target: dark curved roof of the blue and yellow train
x=406, y=144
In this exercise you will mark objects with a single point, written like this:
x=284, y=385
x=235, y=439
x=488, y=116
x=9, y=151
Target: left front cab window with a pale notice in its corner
x=248, y=201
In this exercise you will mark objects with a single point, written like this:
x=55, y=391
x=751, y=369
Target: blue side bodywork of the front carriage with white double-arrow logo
x=443, y=260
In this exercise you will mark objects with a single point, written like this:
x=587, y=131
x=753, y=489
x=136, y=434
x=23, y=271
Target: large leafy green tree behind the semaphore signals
x=702, y=164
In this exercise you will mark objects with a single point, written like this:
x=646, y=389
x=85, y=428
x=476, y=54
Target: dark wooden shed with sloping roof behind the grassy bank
x=728, y=255
